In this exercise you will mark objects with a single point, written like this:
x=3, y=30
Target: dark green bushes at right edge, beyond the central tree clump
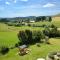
x=52, y=32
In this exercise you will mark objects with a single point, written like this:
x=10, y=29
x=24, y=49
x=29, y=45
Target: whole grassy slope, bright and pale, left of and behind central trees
x=8, y=34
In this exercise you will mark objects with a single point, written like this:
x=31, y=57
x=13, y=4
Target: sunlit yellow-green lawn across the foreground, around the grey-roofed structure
x=36, y=52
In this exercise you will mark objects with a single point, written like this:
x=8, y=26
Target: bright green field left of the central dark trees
x=8, y=39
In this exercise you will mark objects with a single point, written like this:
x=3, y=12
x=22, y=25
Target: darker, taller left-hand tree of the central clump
x=25, y=37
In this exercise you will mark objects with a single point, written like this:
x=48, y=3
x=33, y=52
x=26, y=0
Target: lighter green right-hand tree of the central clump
x=37, y=36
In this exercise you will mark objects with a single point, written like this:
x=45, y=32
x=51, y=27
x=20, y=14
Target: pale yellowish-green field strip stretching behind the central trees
x=6, y=28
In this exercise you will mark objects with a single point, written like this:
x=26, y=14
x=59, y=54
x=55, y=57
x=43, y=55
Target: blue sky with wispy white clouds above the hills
x=22, y=8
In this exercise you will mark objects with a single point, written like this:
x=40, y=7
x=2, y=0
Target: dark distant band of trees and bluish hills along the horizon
x=27, y=19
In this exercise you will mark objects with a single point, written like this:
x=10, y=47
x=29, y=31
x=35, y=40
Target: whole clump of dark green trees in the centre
x=29, y=37
